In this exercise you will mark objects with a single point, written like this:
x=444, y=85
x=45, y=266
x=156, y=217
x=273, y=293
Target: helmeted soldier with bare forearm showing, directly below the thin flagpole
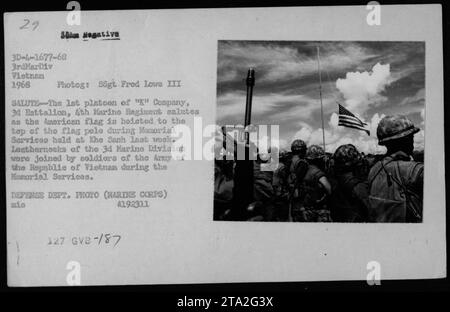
x=315, y=187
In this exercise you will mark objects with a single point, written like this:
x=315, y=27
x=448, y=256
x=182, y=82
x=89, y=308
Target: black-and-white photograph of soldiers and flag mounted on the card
x=351, y=117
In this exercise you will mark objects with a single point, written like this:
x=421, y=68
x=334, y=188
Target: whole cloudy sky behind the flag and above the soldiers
x=371, y=79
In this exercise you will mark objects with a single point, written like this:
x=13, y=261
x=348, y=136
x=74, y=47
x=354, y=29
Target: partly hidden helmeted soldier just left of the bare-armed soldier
x=297, y=171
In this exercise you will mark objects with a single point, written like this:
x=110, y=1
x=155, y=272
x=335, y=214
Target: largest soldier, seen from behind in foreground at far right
x=396, y=181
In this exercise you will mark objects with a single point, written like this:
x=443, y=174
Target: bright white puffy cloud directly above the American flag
x=361, y=89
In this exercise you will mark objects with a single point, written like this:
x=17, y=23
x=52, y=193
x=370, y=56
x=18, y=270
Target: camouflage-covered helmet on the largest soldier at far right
x=394, y=127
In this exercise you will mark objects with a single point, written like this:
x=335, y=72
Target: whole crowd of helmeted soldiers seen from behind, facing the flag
x=310, y=185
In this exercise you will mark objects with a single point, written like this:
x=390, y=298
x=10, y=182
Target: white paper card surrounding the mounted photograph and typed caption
x=176, y=241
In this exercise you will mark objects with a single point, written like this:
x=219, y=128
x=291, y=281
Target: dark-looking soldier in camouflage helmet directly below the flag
x=349, y=202
